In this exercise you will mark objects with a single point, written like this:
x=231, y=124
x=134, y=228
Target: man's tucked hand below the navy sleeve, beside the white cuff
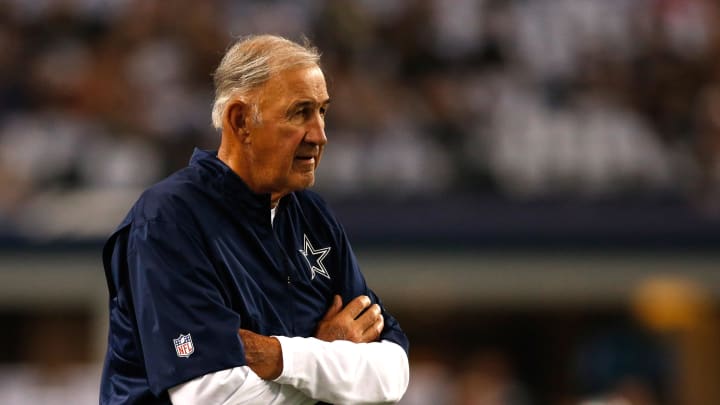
x=263, y=354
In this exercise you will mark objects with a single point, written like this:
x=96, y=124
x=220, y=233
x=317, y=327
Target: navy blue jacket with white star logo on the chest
x=197, y=258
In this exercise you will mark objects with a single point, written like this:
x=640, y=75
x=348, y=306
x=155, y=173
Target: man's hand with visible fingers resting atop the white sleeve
x=351, y=323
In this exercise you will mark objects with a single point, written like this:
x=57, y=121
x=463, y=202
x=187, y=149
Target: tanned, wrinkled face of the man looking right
x=286, y=147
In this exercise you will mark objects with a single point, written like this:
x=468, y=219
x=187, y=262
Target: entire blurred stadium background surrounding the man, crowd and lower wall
x=532, y=186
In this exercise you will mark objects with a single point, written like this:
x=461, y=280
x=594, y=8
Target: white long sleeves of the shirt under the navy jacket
x=339, y=372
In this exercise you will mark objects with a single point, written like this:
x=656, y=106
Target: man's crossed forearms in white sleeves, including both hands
x=342, y=363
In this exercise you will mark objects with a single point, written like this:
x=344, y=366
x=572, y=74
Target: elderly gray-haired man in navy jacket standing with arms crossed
x=229, y=282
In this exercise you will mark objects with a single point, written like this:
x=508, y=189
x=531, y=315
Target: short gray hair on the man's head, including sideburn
x=251, y=62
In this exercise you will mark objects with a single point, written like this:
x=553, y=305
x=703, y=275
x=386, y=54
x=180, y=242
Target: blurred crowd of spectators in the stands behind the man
x=519, y=98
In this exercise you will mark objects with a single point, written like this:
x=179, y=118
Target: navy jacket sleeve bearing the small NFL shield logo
x=185, y=326
